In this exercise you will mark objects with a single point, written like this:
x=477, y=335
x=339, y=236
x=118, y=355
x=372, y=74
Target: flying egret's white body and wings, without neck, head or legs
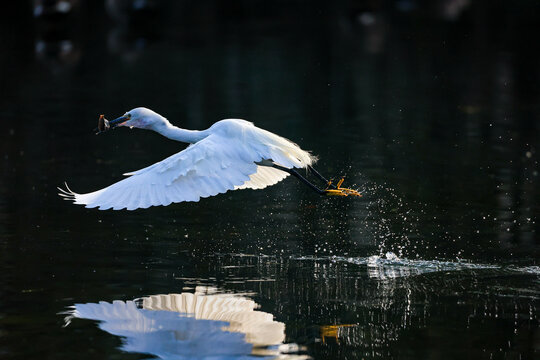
x=225, y=160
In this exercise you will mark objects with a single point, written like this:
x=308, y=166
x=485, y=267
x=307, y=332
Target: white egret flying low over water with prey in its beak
x=232, y=154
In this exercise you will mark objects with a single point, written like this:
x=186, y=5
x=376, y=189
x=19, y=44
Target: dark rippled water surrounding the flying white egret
x=430, y=109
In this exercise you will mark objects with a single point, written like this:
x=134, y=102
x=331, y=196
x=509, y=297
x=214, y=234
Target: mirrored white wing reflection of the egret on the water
x=187, y=325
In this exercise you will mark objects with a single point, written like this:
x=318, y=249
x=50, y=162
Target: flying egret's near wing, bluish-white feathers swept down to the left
x=211, y=166
